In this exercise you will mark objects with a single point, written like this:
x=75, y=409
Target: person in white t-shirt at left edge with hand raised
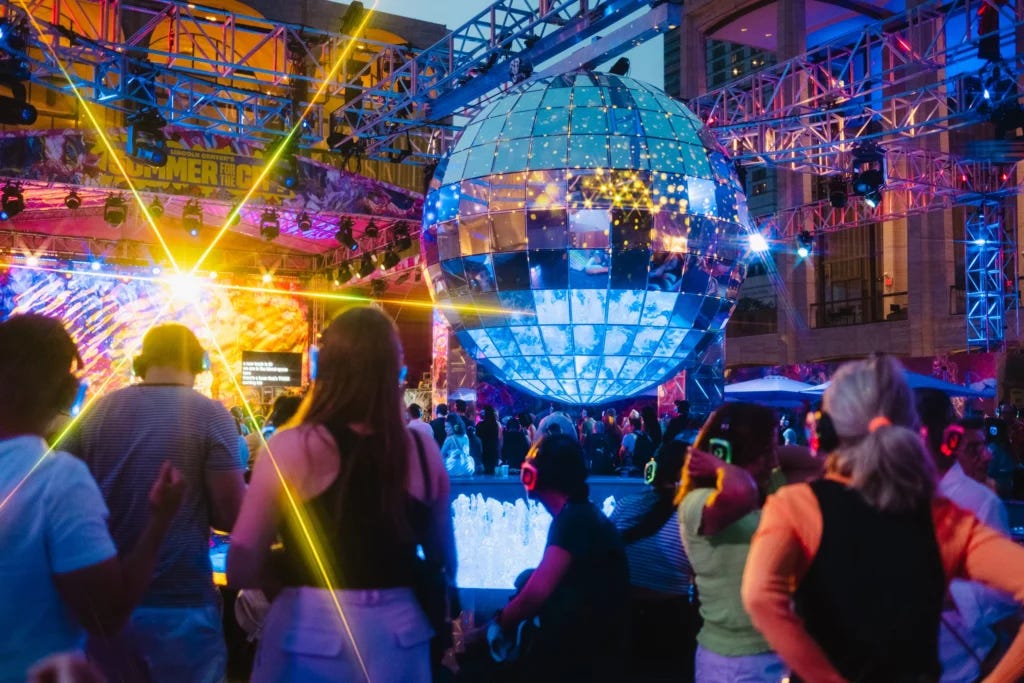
x=60, y=574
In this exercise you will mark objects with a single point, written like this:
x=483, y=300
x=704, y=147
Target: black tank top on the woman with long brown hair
x=359, y=545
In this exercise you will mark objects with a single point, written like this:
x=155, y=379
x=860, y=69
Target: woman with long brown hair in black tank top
x=352, y=493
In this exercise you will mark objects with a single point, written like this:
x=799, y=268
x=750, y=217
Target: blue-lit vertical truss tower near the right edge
x=990, y=252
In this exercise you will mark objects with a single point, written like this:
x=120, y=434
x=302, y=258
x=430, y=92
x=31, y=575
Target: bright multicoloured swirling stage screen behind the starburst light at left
x=108, y=315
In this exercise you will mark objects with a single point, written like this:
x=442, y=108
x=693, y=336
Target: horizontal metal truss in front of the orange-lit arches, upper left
x=205, y=68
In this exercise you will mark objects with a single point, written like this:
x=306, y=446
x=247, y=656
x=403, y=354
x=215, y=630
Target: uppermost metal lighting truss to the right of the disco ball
x=885, y=83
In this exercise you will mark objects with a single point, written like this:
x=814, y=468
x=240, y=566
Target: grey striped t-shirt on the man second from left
x=124, y=440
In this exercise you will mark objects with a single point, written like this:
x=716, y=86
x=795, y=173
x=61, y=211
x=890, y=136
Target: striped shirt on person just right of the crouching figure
x=659, y=562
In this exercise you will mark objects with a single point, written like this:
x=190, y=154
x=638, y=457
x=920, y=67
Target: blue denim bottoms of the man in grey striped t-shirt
x=165, y=646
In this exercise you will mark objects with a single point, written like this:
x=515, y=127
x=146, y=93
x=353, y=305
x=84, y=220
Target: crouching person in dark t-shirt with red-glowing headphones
x=580, y=589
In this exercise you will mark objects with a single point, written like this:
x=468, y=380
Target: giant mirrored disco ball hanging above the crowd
x=605, y=219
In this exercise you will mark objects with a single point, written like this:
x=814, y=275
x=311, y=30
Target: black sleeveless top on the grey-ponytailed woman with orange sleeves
x=873, y=595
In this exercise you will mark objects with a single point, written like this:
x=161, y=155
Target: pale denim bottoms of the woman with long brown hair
x=306, y=639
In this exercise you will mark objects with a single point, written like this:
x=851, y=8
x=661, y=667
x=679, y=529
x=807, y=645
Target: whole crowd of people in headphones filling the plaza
x=880, y=556
